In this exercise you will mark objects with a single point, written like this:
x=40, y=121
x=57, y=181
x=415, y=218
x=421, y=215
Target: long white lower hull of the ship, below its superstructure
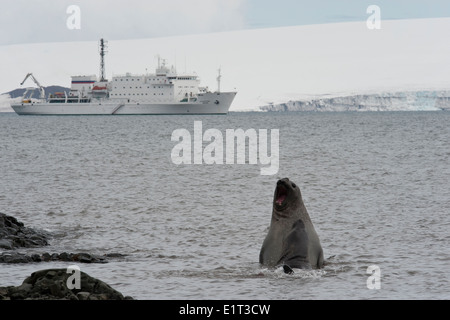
x=212, y=103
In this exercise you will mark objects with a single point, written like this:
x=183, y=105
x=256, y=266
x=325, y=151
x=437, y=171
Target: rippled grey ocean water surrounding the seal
x=376, y=185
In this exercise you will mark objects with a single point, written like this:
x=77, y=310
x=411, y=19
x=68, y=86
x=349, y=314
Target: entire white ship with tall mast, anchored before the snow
x=164, y=92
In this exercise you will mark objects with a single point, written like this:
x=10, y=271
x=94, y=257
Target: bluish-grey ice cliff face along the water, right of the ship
x=385, y=101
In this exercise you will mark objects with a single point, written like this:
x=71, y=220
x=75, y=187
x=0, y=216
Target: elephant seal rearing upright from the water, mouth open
x=292, y=240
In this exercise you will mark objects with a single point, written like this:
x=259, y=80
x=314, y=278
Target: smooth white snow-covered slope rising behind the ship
x=267, y=66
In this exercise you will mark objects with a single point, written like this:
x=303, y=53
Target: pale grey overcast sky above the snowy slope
x=29, y=21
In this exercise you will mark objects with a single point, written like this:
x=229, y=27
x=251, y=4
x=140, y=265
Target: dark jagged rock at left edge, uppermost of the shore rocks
x=13, y=234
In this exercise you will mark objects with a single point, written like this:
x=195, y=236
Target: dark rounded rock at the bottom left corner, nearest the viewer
x=53, y=284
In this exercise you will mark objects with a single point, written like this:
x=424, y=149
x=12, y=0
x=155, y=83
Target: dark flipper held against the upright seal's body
x=295, y=249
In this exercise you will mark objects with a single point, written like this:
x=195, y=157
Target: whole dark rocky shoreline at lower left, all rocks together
x=49, y=284
